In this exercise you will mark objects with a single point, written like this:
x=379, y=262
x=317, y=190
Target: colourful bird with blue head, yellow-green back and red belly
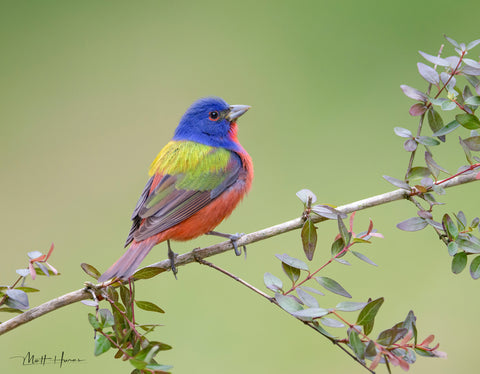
x=196, y=181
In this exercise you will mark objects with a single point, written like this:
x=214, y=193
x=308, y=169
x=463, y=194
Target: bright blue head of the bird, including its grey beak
x=210, y=121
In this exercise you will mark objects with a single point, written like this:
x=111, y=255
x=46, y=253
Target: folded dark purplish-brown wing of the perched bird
x=166, y=206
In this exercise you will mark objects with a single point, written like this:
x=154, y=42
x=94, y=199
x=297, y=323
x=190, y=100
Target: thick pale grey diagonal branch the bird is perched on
x=294, y=224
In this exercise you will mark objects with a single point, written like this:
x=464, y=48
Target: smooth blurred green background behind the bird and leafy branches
x=92, y=90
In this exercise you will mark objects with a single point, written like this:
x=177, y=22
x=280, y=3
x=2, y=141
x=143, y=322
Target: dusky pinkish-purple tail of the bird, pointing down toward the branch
x=126, y=265
